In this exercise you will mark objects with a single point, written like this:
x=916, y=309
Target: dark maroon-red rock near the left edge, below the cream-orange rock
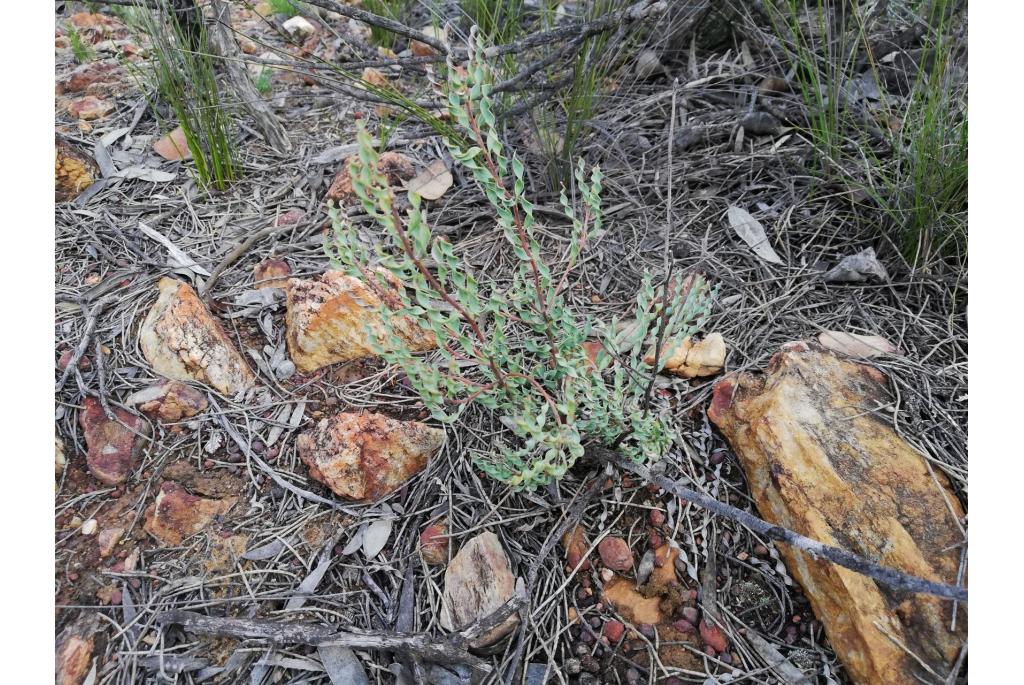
x=113, y=446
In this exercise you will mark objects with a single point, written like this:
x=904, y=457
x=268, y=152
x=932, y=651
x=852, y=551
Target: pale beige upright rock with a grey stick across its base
x=478, y=583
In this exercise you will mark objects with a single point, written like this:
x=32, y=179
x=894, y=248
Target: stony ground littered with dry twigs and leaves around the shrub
x=229, y=449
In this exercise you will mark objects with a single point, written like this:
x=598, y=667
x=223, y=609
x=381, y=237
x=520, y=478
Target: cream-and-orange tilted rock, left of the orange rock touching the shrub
x=183, y=341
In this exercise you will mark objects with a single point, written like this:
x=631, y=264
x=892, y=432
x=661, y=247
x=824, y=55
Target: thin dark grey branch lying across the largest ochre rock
x=890, y=577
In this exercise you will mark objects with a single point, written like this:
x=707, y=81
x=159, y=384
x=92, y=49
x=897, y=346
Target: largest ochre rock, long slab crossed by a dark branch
x=821, y=462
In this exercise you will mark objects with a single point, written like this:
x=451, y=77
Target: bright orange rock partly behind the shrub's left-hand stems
x=327, y=322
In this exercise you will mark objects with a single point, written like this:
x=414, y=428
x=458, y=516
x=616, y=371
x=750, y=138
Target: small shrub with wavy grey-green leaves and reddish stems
x=518, y=351
